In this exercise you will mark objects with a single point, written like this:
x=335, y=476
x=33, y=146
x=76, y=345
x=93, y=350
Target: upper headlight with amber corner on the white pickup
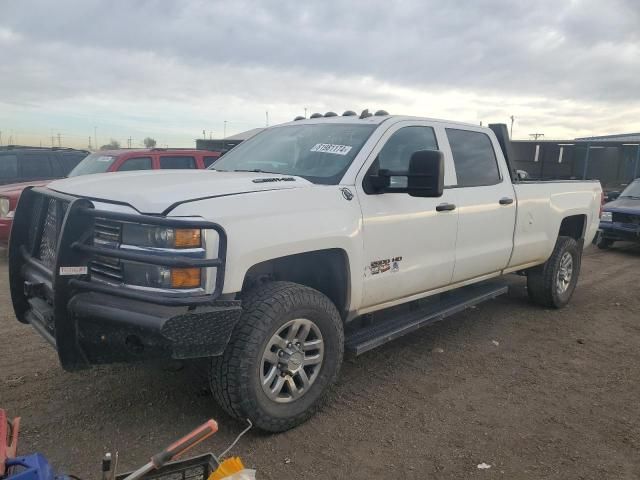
x=160, y=237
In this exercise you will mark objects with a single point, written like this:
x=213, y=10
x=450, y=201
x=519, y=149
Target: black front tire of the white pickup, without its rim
x=235, y=375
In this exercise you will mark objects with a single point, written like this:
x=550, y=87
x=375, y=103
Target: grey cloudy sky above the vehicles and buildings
x=171, y=69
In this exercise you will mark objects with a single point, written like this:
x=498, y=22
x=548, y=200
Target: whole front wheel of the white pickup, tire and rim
x=283, y=355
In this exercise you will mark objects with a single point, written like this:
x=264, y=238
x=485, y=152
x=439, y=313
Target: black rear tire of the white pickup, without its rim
x=542, y=281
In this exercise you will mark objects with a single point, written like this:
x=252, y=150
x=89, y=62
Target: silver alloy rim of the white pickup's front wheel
x=291, y=360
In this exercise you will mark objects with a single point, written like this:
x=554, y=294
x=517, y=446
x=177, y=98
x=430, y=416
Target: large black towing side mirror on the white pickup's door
x=425, y=177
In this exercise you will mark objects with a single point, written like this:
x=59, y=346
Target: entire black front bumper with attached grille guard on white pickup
x=89, y=322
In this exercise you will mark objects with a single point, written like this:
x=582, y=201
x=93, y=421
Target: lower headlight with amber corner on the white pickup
x=153, y=276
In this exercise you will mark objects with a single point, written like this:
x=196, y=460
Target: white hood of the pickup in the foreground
x=159, y=191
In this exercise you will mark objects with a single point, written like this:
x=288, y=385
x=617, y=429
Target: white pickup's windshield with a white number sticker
x=320, y=153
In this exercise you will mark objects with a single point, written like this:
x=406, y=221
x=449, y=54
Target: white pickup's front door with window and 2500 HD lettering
x=408, y=241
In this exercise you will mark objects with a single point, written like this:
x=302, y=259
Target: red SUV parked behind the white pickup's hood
x=108, y=161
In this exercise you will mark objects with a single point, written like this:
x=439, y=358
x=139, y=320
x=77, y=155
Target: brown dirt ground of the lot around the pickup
x=534, y=393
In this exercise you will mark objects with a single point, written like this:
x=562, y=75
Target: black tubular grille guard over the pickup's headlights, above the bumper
x=75, y=229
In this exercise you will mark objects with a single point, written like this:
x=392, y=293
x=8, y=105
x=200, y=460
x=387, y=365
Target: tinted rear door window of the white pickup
x=474, y=158
